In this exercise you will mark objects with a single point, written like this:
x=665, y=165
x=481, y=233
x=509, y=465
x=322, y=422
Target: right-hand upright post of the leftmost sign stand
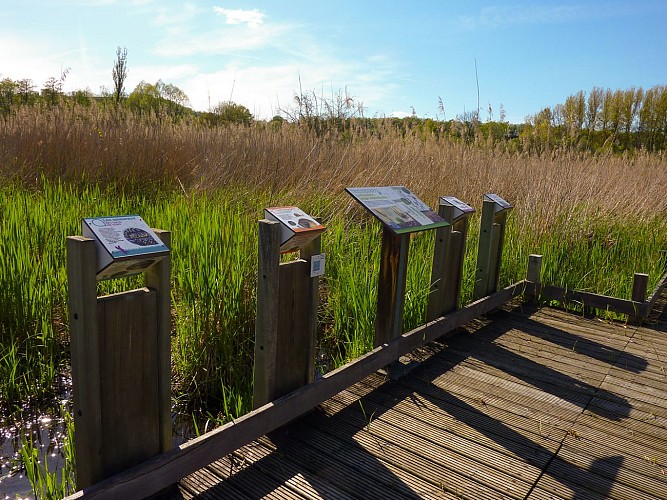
x=158, y=278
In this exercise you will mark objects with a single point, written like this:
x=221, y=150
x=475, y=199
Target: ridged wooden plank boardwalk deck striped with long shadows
x=530, y=404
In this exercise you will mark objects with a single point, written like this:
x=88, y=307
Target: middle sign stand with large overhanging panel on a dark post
x=401, y=213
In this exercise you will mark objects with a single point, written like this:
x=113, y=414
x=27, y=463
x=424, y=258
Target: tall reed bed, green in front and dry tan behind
x=596, y=220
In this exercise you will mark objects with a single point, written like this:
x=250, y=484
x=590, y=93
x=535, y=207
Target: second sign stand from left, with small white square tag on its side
x=287, y=301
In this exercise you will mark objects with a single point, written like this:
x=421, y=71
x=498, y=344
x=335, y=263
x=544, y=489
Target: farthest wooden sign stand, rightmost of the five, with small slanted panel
x=489, y=253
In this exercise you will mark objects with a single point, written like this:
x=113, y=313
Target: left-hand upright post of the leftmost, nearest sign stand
x=85, y=351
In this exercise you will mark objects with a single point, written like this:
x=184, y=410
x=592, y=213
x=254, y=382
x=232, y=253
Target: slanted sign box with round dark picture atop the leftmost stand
x=125, y=245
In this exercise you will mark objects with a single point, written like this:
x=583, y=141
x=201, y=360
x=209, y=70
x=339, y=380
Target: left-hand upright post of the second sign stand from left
x=266, y=324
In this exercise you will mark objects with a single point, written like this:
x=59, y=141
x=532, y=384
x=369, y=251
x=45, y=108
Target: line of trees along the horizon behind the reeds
x=602, y=120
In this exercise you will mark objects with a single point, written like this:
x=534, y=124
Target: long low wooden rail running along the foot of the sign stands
x=163, y=470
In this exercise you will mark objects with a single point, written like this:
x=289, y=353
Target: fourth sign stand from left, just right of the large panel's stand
x=448, y=257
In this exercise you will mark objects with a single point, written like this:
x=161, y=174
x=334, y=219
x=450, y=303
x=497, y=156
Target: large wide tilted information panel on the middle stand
x=397, y=208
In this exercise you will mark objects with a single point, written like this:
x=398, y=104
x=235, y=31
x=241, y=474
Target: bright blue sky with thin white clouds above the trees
x=393, y=56
